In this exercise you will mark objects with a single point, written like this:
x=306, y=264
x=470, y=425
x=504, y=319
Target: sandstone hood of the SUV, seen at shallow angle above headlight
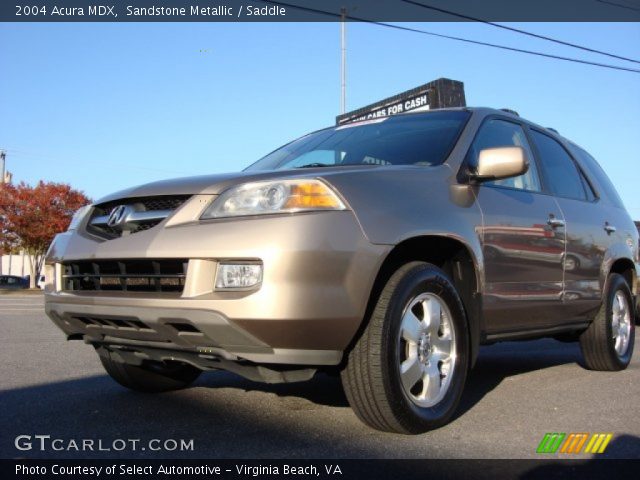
x=215, y=184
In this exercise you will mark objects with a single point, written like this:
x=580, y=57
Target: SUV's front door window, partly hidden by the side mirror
x=501, y=133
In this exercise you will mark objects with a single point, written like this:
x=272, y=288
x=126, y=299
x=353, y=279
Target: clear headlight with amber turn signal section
x=285, y=196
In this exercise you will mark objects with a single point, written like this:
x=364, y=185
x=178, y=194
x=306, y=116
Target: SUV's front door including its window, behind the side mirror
x=523, y=240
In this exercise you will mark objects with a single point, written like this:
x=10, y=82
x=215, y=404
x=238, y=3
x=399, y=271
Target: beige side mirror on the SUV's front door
x=500, y=162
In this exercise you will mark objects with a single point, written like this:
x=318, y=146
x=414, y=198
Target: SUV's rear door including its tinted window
x=587, y=225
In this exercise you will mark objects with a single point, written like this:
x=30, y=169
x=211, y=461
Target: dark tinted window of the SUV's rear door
x=561, y=174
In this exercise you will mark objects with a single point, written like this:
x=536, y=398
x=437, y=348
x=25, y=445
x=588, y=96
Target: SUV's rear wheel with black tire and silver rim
x=601, y=348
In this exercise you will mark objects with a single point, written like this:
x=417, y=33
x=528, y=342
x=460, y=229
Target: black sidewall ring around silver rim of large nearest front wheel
x=423, y=279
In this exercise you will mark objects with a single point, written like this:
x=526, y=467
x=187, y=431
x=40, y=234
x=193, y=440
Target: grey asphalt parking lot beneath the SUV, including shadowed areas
x=516, y=394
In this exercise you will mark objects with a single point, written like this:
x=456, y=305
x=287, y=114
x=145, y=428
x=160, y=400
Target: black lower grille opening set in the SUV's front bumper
x=165, y=275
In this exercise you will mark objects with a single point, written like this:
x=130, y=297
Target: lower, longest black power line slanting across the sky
x=459, y=39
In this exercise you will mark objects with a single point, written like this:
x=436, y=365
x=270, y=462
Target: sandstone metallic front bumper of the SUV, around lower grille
x=318, y=273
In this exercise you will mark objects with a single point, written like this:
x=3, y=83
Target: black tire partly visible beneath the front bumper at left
x=151, y=377
